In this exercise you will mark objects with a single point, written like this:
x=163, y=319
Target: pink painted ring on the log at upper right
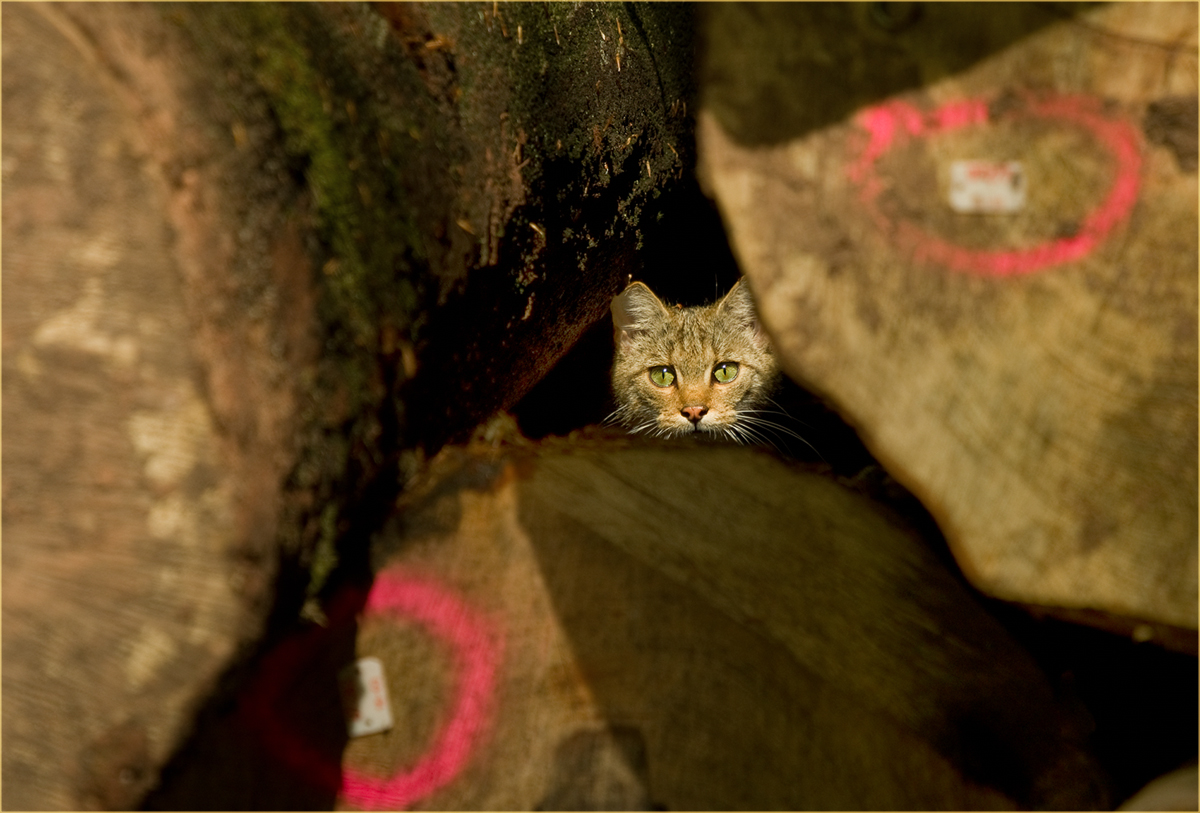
x=887, y=125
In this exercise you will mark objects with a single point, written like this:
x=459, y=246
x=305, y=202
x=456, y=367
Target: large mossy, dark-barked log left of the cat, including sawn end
x=241, y=243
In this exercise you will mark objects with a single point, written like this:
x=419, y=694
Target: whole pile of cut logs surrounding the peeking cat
x=242, y=245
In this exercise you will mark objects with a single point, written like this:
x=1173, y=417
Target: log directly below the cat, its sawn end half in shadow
x=596, y=624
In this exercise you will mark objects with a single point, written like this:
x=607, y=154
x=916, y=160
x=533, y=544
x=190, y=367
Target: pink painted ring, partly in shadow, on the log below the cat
x=477, y=651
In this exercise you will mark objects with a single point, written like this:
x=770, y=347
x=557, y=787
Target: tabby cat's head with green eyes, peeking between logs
x=691, y=370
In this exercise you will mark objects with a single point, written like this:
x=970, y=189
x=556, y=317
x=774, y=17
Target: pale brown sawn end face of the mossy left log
x=141, y=497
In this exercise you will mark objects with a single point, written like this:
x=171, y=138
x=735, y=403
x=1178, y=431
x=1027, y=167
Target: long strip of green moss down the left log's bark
x=308, y=71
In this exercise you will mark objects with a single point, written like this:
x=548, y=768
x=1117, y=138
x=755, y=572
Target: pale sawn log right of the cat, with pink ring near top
x=1029, y=375
